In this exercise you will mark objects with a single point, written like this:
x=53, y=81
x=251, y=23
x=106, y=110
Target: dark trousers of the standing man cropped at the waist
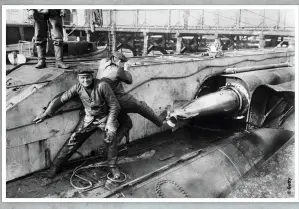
x=41, y=28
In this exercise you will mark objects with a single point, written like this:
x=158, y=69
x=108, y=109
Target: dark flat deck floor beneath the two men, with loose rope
x=143, y=157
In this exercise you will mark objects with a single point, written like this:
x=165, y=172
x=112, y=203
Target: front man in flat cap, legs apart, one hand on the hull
x=101, y=112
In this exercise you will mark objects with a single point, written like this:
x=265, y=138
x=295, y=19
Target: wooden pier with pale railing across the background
x=174, y=32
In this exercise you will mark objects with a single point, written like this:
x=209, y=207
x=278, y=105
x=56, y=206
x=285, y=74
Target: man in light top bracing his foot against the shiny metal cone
x=112, y=71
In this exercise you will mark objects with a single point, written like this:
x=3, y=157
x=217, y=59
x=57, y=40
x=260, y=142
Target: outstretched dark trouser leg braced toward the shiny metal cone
x=129, y=104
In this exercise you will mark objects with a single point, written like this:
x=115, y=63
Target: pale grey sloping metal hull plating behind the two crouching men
x=157, y=80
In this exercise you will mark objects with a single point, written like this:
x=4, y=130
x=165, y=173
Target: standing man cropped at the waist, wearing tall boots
x=45, y=20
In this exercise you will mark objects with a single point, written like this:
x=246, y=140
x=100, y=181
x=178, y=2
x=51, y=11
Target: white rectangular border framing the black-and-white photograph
x=295, y=8
